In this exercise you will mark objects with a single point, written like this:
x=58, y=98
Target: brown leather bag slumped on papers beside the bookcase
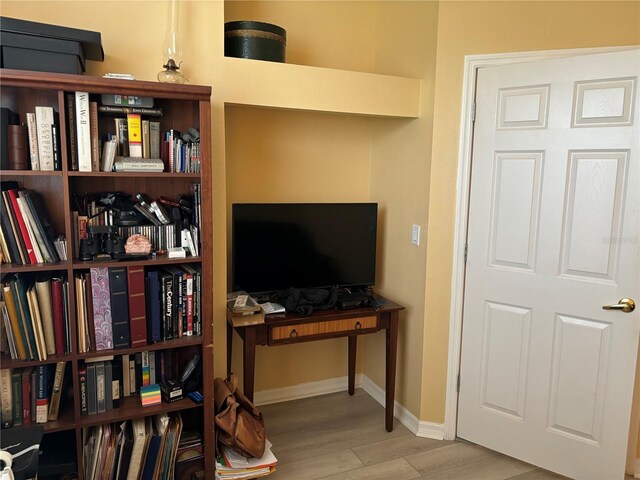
x=239, y=424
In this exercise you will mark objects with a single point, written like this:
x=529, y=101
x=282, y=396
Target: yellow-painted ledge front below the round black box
x=300, y=87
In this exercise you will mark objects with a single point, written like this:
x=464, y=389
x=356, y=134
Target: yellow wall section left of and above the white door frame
x=469, y=28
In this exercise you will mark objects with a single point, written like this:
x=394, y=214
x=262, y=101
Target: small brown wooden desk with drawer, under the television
x=283, y=329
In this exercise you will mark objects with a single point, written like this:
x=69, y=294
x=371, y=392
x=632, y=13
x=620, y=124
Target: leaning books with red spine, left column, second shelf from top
x=26, y=235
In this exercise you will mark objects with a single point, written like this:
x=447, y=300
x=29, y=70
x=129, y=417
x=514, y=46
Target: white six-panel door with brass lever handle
x=547, y=375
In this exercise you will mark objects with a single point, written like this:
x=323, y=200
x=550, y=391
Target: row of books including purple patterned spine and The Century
x=121, y=307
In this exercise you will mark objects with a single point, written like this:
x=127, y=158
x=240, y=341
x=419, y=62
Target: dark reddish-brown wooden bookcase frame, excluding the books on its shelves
x=183, y=106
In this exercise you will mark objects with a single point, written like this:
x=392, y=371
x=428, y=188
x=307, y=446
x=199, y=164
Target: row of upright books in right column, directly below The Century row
x=104, y=381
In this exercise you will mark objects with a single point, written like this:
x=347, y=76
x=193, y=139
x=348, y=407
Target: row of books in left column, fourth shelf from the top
x=31, y=394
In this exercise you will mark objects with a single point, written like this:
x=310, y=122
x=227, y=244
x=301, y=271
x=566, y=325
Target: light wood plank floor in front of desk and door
x=337, y=437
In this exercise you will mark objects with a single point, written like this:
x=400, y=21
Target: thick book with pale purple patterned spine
x=102, y=308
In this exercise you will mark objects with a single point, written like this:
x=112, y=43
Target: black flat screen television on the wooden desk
x=276, y=246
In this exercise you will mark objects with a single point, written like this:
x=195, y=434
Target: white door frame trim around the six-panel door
x=463, y=185
